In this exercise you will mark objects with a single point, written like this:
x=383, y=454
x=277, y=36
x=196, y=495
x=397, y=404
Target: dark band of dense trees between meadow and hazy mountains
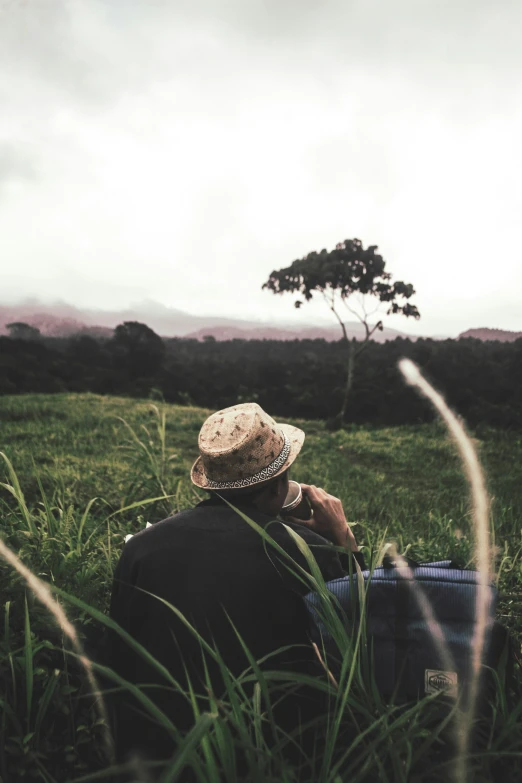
x=482, y=381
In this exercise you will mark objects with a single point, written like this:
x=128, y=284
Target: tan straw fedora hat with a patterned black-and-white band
x=242, y=446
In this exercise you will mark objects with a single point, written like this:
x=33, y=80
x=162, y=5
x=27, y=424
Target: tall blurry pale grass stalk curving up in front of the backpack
x=480, y=503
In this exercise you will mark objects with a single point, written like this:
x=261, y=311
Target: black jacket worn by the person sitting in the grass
x=215, y=569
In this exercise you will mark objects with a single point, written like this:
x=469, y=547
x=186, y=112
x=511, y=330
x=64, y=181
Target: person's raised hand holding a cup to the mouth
x=328, y=519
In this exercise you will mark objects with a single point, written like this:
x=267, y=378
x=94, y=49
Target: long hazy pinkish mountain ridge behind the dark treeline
x=63, y=320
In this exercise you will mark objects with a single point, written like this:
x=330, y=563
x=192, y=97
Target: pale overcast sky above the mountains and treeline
x=180, y=151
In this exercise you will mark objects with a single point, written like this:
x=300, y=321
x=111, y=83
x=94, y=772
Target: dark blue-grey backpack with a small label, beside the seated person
x=407, y=663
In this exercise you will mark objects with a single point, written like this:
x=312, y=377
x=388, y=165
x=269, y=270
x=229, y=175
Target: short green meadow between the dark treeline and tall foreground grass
x=403, y=481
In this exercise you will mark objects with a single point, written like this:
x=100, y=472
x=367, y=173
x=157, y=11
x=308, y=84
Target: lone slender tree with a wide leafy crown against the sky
x=347, y=278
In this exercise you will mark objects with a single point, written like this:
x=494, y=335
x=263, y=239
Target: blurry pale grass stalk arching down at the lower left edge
x=42, y=592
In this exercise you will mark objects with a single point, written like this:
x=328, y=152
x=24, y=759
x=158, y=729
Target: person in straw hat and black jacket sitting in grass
x=234, y=588
